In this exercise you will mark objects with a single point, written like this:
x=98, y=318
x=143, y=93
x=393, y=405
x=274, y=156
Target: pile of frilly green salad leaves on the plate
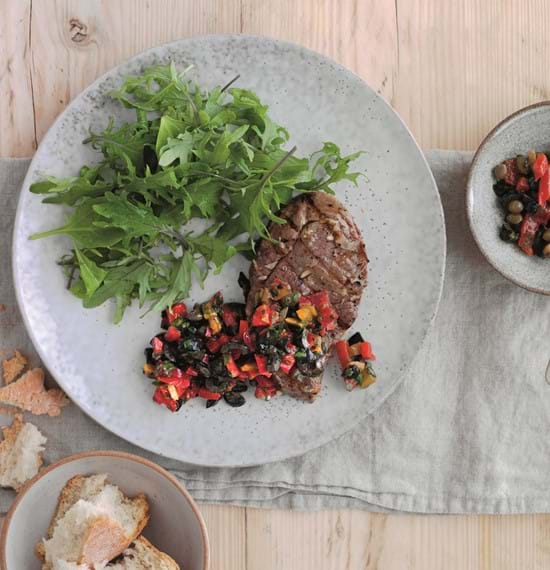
x=190, y=154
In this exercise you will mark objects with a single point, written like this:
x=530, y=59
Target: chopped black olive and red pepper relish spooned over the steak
x=214, y=352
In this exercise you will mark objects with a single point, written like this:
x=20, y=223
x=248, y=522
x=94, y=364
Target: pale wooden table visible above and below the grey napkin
x=451, y=68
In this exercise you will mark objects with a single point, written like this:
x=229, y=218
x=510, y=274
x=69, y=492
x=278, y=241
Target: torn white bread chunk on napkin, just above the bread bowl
x=20, y=453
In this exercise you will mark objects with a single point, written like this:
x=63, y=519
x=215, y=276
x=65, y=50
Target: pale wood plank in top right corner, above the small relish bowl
x=465, y=65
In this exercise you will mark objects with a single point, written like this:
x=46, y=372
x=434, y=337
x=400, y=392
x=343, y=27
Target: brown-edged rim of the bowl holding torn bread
x=105, y=453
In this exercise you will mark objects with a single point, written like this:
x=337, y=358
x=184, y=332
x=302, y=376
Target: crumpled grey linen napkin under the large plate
x=467, y=431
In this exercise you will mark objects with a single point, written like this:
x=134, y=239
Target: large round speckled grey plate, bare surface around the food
x=397, y=209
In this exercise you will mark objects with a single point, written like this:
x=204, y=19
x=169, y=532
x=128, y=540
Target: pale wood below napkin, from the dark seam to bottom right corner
x=349, y=540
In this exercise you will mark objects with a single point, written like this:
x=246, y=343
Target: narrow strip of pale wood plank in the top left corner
x=16, y=101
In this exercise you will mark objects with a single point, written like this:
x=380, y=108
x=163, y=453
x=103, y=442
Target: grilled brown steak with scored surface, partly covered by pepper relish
x=319, y=248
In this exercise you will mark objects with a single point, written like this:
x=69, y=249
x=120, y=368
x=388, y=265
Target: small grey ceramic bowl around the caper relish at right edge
x=525, y=129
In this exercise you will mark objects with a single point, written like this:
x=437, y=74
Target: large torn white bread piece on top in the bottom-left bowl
x=94, y=522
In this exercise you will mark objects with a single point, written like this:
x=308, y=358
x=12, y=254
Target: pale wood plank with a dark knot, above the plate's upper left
x=74, y=42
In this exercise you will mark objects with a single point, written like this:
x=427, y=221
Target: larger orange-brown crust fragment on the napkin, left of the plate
x=30, y=394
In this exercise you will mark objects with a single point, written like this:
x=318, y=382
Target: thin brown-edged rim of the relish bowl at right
x=470, y=191
